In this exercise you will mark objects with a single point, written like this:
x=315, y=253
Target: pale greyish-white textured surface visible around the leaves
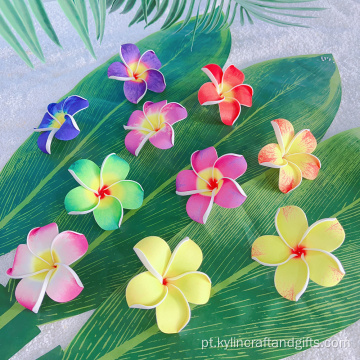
x=25, y=94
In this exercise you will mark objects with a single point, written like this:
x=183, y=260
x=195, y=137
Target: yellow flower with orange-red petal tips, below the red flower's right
x=292, y=155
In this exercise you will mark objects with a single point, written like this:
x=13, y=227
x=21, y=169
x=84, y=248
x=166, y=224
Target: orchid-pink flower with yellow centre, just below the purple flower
x=154, y=123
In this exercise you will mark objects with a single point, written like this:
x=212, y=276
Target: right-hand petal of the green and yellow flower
x=129, y=193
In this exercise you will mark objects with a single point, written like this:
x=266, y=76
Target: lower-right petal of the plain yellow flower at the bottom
x=194, y=285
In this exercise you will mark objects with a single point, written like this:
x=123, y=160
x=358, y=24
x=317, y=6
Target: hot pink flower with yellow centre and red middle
x=212, y=180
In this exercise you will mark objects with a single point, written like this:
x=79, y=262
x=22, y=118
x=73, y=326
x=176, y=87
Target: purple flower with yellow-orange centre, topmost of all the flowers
x=140, y=72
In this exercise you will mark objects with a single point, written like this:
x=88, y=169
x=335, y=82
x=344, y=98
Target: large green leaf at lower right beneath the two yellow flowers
x=244, y=304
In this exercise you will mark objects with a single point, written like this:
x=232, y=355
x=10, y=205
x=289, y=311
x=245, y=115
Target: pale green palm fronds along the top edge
x=17, y=17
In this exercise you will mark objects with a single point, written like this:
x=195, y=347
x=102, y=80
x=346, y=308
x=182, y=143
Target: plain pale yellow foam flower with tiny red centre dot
x=170, y=282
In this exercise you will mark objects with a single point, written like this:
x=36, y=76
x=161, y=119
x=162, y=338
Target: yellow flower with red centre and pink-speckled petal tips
x=301, y=252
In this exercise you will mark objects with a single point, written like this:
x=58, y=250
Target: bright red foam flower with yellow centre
x=227, y=90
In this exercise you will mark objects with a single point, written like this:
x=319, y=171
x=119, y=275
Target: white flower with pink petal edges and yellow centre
x=43, y=264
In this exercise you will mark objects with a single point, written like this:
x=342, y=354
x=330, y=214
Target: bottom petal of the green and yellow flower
x=108, y=214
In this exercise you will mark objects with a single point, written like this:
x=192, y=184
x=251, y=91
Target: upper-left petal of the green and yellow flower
x=86, y=173
